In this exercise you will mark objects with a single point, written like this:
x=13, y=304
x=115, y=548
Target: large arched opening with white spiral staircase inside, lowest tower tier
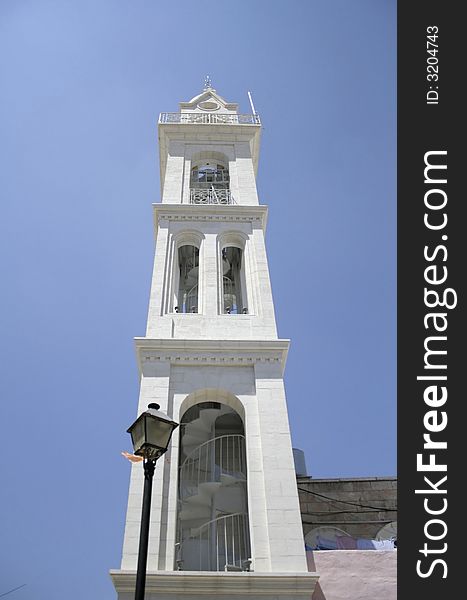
x=212, y=521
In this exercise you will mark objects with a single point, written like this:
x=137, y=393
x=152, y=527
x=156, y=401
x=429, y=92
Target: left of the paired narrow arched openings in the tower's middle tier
x=188, y=281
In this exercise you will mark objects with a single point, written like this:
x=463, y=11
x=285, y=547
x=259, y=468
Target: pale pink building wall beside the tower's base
x=354, y=574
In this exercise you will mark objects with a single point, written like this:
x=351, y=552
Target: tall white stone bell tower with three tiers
x=225, y=517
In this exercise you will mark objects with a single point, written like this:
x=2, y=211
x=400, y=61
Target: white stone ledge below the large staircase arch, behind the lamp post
x=220, y=584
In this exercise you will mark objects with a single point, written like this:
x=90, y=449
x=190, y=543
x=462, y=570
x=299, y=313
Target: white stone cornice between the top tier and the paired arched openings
x=210, y=212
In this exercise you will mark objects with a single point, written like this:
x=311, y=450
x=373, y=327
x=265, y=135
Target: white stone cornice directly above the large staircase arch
x=211, y=352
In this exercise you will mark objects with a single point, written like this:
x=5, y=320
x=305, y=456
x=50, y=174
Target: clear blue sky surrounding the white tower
x=82, y=83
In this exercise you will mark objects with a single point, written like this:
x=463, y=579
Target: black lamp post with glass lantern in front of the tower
x=150, y=435
